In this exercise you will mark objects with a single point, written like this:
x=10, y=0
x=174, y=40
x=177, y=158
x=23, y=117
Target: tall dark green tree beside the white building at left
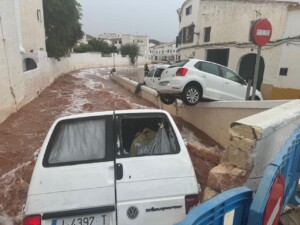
x=62, y=26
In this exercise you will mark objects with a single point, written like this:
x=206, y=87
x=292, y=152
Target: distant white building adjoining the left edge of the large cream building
x=163, y=52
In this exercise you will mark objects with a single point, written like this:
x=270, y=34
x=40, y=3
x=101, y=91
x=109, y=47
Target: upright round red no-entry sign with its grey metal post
x=261, y=35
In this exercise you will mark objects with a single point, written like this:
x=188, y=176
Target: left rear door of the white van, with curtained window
x=73, y=182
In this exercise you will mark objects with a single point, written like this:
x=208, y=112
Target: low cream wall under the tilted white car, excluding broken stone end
x=214, y=118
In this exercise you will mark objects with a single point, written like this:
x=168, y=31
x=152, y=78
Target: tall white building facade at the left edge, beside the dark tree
x=22, y=44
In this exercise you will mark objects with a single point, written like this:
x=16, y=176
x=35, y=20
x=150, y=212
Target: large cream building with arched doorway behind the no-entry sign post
x=219, y=31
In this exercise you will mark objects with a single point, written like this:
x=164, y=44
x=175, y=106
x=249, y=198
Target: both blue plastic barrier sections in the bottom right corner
x=284, y=169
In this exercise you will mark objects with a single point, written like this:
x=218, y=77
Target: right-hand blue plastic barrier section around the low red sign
x=286, y=163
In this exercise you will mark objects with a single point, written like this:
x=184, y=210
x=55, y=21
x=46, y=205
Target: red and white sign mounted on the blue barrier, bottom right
x=275, y=201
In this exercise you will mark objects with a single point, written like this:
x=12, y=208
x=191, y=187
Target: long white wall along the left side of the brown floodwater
x=29, y=84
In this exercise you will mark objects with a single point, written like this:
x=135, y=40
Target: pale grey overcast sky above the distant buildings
x=156, y=18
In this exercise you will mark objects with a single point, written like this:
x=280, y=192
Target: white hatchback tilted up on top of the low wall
x=193, y=80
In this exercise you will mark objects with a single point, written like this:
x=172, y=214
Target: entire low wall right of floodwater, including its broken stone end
x=252, y=131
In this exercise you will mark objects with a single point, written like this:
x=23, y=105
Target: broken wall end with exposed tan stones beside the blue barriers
x=254, y=142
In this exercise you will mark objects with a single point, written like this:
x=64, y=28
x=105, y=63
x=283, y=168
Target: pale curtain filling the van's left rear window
x=79, y=141
